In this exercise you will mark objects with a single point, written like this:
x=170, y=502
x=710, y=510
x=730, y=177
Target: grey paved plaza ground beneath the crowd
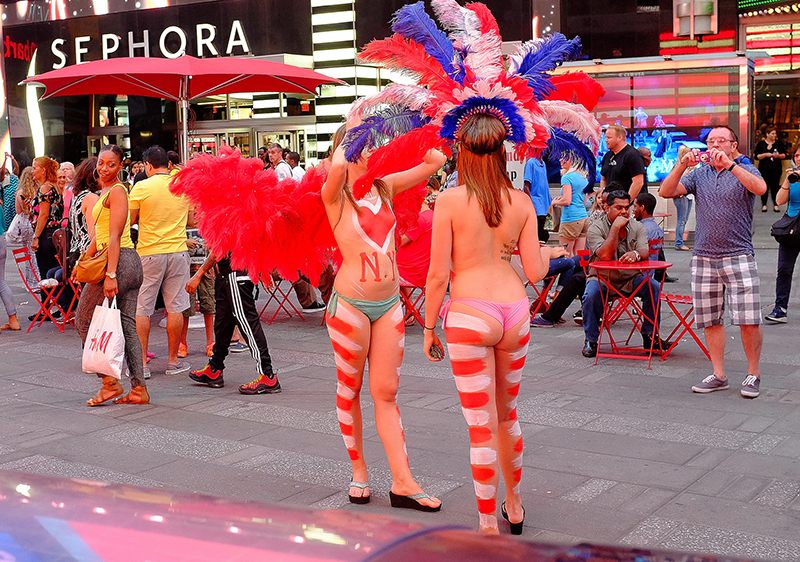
x=615, y=453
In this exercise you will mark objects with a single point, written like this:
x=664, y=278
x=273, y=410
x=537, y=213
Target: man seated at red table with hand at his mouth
x=617, y=238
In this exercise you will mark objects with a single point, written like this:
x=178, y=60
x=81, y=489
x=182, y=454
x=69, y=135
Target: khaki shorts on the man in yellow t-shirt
x=168, y=273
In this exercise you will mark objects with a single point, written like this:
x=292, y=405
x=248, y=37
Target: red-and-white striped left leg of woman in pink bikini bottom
x=473, y=368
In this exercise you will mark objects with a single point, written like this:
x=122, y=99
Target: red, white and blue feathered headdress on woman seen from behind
x=460, y=71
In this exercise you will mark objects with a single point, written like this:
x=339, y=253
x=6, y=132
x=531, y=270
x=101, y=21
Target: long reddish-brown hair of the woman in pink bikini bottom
x=482, y=165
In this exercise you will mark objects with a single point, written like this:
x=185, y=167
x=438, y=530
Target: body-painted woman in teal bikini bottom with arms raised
x=365, y=319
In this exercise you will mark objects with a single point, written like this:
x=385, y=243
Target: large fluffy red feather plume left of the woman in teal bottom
x=265, y=224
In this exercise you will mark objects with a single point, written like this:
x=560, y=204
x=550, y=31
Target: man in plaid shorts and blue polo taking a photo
x=724, y=259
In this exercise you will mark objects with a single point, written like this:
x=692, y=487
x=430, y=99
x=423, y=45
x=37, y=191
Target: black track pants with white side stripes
x=236, y=307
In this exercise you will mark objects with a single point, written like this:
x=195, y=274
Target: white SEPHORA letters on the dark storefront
x=171, y=42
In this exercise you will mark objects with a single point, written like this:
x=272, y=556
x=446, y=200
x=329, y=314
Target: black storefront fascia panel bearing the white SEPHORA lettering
x=208, y=29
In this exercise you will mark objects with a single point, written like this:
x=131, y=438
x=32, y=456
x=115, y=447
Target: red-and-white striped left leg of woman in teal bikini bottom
x=349, y=356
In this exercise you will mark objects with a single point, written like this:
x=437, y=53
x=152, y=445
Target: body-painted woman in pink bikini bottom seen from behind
x=476, y=227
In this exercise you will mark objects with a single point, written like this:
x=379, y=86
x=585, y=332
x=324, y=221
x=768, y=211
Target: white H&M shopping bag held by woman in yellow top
x=104, y=350
